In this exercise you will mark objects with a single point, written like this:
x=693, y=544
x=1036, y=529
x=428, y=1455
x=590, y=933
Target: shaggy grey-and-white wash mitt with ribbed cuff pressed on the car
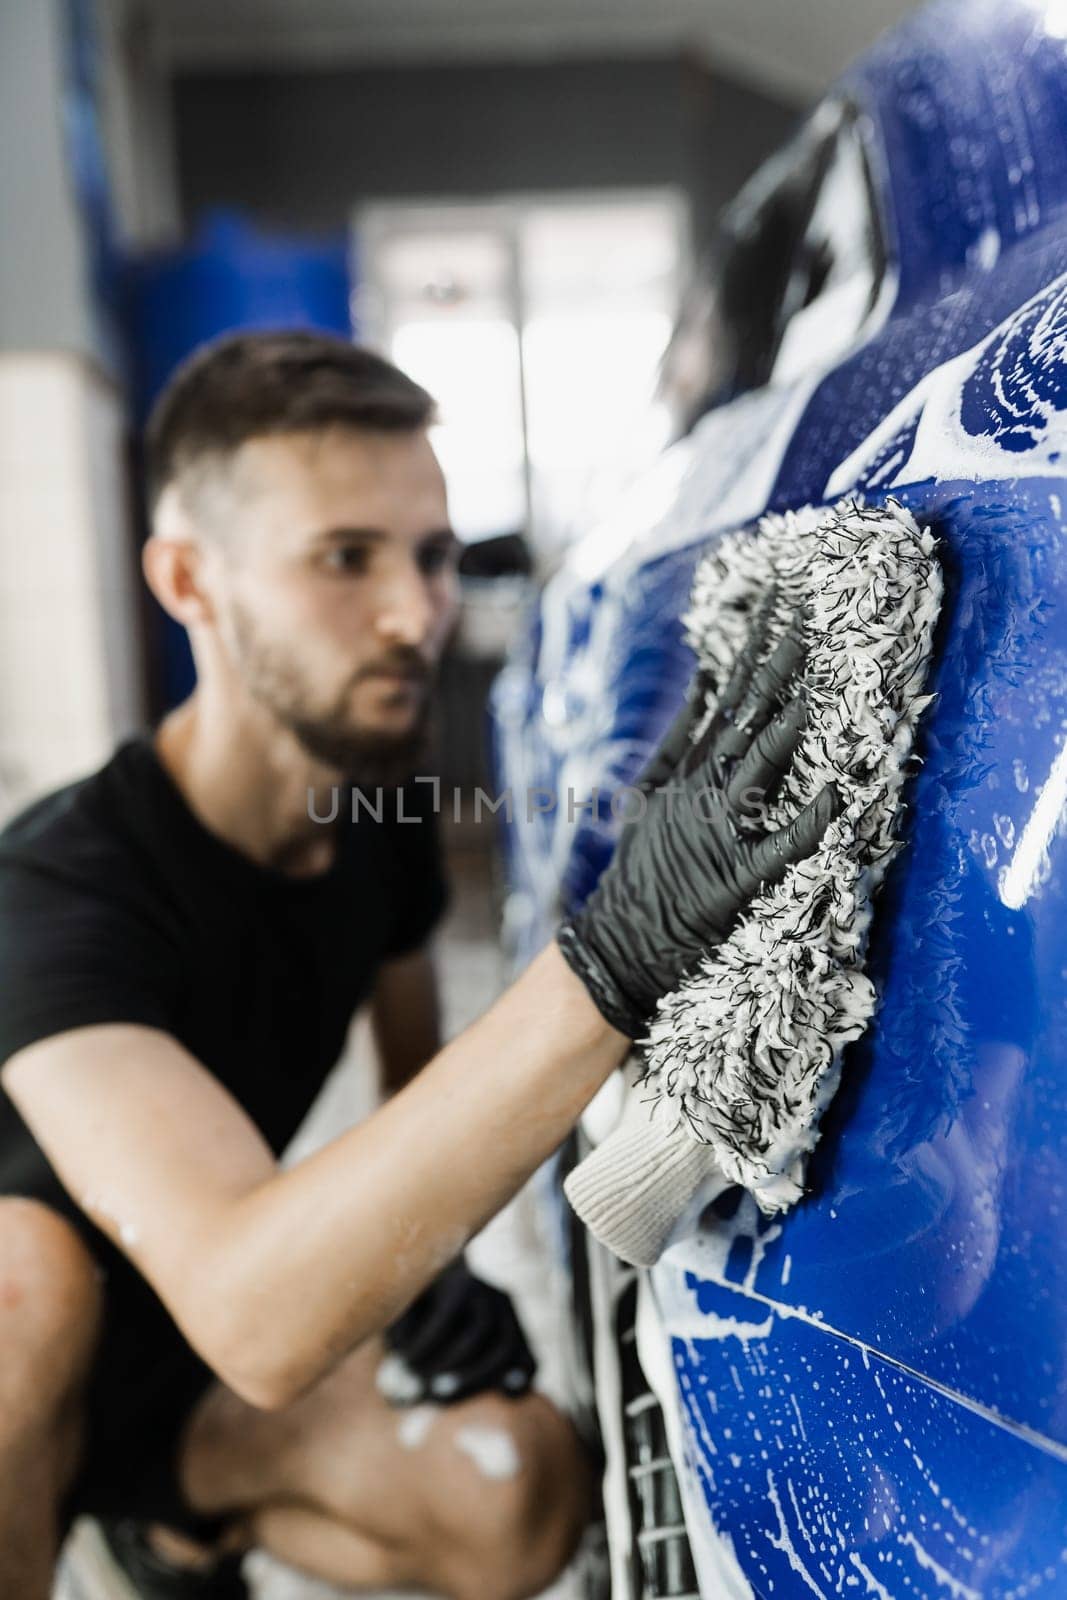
x=745, y=1057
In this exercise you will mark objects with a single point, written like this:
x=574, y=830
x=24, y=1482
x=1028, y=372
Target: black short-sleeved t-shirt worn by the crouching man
x=119, y=906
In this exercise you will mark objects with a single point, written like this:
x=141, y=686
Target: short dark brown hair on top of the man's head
x=247, y=385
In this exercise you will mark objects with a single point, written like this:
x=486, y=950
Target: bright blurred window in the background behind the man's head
x=538, y=326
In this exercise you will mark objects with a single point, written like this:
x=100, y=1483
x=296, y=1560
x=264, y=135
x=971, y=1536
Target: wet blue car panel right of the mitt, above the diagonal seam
x=935, y=1226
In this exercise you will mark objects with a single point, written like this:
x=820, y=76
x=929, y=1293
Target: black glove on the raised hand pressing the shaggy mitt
x=687, y=870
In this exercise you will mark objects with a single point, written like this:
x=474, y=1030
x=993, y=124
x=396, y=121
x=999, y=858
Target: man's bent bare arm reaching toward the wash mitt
x=274, y=1276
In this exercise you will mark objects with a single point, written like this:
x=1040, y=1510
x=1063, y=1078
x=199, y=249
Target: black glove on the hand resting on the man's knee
x=460, y=1338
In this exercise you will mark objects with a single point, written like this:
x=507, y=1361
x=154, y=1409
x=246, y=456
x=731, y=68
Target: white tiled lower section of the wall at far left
x=70, y=660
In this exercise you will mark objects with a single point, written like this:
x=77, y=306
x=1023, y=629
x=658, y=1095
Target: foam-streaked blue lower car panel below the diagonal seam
x=829, y=1471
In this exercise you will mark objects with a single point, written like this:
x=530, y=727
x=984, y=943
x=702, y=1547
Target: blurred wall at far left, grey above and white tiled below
x=70, y=639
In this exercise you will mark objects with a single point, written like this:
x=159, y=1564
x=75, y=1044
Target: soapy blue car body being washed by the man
x=869, y=1396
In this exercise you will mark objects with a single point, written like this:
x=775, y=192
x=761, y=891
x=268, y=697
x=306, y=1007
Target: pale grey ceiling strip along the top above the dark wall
x=788, y=47
